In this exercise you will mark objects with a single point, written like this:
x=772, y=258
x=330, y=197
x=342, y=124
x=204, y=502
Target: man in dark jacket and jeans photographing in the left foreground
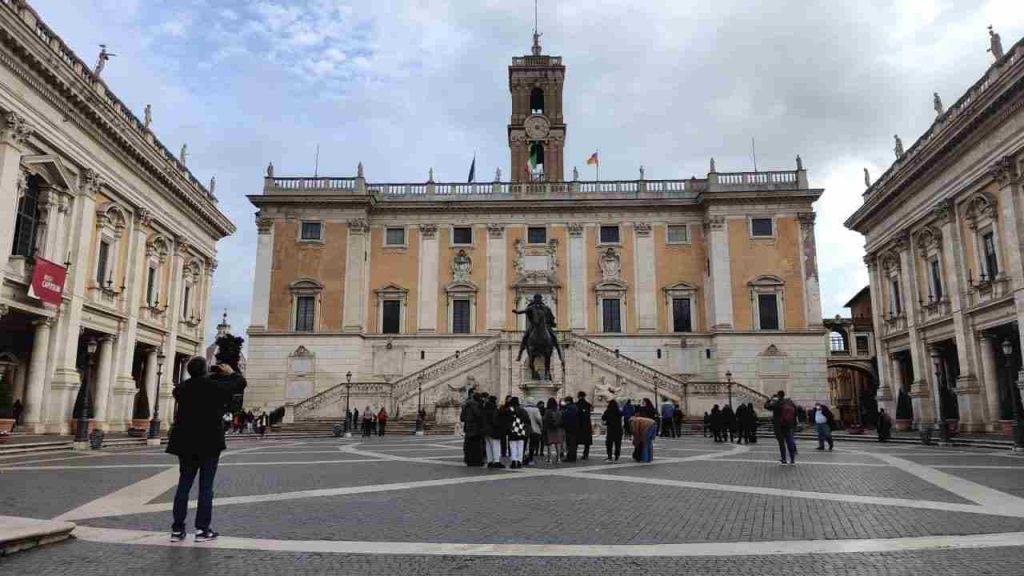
x=198, y=439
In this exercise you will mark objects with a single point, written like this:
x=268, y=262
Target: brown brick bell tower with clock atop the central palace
x=537, y=130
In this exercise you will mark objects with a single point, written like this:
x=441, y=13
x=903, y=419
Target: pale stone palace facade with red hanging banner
x=87, y=189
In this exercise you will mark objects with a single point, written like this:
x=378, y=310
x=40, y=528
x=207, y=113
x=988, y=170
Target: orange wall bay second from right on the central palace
x=680, y=263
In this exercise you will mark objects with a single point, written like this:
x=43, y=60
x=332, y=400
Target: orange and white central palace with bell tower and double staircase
x=402, y=295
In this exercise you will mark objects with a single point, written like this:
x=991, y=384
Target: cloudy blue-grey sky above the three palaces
x=404, y=87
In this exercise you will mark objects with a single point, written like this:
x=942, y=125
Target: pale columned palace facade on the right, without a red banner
x=944, y=230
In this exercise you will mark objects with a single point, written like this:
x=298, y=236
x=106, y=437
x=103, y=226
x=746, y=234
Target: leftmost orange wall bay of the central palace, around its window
x=322, y=262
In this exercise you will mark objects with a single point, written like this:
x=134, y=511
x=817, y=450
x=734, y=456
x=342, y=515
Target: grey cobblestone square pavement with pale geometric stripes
x=407, y=506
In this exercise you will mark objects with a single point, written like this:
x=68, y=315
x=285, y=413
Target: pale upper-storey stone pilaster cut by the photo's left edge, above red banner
x=15, y=137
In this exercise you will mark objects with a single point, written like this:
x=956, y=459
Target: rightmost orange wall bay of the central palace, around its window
x=779, y=257
